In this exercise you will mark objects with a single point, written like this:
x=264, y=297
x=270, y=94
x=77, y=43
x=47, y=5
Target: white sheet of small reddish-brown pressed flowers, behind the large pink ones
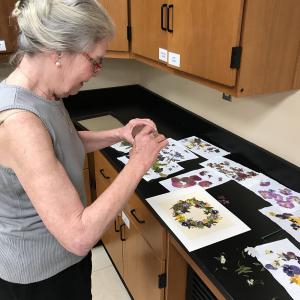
x=233, y=170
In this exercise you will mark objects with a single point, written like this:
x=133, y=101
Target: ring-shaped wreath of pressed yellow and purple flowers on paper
x=183, y=206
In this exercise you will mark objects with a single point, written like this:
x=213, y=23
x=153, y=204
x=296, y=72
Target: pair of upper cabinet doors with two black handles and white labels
x=192, y=32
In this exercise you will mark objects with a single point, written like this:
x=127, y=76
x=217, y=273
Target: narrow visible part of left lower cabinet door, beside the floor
x=113, y=244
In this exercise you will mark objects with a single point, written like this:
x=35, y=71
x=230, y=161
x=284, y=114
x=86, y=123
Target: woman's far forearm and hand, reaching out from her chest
x=95, y=140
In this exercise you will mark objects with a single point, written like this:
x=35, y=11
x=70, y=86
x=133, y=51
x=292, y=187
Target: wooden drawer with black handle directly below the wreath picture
x=147, y=225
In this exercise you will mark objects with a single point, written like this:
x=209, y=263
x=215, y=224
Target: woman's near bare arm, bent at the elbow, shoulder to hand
x=49, y=188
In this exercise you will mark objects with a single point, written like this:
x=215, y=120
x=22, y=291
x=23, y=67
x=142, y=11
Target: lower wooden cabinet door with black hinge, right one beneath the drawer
x=141, y=267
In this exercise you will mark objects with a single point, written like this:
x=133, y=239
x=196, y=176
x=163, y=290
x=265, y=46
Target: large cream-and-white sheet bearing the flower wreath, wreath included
x=196, y=218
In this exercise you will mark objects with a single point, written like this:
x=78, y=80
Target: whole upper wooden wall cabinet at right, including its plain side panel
x=241, y=47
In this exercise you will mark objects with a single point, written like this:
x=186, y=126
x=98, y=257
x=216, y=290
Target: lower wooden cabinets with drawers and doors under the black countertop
x=135, y=241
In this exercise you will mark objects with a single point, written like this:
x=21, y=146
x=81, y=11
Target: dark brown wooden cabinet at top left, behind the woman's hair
x=8, y=32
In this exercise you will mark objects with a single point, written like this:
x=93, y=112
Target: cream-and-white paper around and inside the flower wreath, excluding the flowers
x=194, y=238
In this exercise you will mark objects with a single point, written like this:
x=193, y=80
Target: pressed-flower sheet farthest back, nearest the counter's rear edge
x=202, y=148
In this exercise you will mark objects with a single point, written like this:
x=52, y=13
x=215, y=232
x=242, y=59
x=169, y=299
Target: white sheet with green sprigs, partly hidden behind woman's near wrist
x=158, y=169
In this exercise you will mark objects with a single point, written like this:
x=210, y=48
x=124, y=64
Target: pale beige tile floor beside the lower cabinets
x=106, y=284
